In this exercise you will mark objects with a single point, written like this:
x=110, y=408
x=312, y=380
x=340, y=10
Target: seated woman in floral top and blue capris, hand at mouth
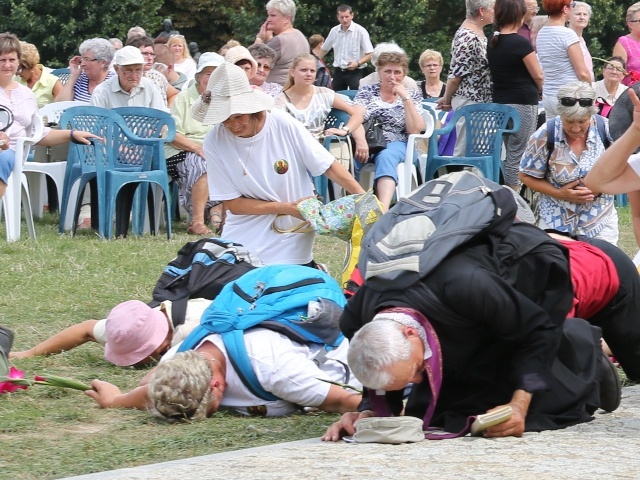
x=399, y=112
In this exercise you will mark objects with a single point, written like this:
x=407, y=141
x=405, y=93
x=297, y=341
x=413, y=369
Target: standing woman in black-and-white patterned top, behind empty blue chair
x=469, y=79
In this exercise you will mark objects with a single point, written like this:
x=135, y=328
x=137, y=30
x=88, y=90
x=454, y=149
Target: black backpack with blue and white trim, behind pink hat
x=200, y=270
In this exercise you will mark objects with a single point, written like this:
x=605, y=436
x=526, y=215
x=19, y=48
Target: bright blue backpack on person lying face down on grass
x=275, y=297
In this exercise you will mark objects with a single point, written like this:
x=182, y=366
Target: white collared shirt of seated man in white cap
x=109, y=94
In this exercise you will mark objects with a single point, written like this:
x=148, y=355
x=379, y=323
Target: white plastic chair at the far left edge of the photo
x=17, y=192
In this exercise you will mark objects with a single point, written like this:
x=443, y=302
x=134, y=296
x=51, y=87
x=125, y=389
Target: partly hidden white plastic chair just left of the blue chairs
x=37, y=172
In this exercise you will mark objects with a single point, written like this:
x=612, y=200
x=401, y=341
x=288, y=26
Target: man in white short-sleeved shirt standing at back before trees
x=352, y=50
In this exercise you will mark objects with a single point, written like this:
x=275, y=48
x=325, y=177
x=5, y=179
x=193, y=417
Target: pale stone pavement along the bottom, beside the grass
x=607, y=447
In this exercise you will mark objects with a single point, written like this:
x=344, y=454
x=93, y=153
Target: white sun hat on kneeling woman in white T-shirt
x=231, y=94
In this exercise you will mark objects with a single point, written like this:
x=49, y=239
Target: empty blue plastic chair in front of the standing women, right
x=486, y=123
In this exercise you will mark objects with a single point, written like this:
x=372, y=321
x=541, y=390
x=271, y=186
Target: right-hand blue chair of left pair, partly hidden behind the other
x=158, y=125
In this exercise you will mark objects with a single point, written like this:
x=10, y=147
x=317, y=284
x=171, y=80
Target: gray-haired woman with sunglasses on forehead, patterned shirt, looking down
x=556, y=162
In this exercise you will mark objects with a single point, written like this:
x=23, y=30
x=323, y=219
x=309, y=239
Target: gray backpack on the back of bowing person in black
x=418, y=232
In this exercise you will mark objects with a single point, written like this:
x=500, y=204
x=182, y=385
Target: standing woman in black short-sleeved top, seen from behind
x=517, y=80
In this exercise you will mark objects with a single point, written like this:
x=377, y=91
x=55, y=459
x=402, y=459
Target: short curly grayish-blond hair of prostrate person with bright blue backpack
x=180, y=388
